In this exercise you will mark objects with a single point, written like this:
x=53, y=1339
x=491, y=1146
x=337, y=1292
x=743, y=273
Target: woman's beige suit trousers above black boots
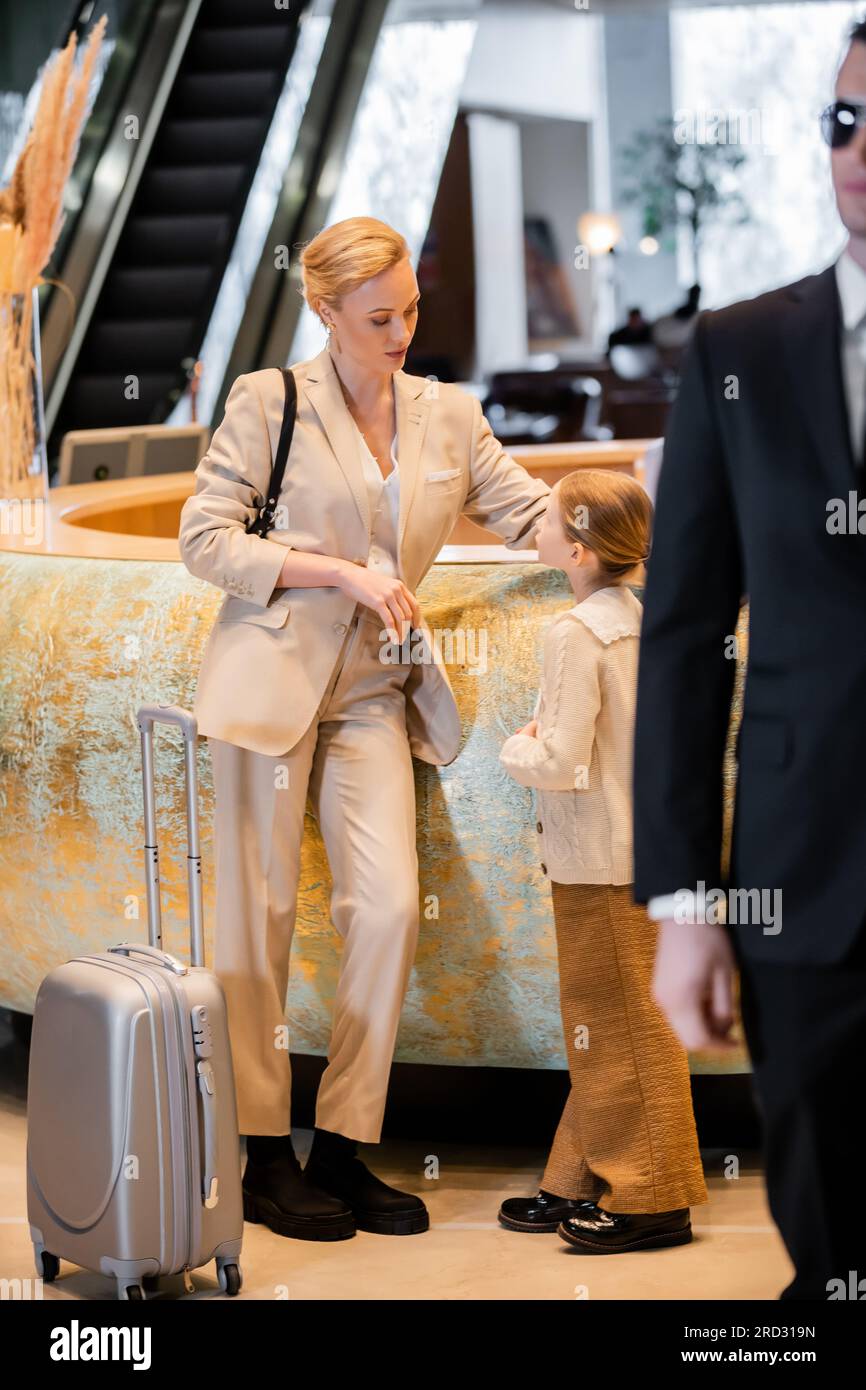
x=355, y=765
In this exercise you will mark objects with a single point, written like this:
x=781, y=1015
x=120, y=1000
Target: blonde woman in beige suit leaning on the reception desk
x=295, y=701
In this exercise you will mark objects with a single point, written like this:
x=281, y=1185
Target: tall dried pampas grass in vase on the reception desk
x=31, y=219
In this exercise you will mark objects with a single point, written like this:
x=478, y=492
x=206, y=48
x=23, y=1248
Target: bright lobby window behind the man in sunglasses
x=772, y=67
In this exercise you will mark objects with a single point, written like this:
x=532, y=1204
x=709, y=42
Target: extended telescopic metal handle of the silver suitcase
x=148, y=717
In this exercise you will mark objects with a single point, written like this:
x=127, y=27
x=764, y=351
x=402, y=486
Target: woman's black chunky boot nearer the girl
x=336, y=1168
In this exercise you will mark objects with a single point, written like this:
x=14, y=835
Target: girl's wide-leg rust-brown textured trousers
x=628, y=1135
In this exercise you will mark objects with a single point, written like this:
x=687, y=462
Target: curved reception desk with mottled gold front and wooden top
x=99, y=615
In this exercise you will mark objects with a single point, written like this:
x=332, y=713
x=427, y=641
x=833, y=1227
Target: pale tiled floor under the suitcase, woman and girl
x=465, y=1256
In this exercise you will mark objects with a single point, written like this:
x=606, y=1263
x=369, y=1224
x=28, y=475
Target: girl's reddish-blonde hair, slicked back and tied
x=611, y=514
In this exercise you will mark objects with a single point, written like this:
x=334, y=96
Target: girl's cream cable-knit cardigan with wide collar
x=580, y=764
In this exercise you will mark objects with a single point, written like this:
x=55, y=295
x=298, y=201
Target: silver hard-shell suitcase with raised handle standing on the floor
x=134, y=1157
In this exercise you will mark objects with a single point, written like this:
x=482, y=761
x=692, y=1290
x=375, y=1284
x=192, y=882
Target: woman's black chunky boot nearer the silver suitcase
x=277, y=1195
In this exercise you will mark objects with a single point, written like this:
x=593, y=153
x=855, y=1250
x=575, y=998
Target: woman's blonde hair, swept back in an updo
x=344, y=256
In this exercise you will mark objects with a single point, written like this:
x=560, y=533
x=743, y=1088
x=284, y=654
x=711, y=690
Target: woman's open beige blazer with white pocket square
x=272, y=651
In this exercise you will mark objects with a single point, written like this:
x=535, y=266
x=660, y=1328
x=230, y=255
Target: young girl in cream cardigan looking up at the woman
x=628, y=1136
